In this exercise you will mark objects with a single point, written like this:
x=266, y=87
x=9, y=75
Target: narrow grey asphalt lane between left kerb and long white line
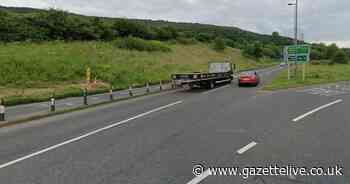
x=46, y=132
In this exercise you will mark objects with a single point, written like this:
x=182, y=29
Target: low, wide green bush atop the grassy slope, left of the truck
x=132, y=43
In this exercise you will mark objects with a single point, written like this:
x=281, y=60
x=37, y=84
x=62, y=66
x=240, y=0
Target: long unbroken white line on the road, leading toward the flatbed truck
x=86, y=135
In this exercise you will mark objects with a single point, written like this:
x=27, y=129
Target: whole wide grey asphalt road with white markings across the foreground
x=160, y=138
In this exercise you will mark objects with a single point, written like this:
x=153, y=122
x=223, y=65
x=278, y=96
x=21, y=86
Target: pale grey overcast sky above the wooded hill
x=320, y=20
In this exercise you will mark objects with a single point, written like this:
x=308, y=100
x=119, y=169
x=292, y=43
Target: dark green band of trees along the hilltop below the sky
x=41, y=25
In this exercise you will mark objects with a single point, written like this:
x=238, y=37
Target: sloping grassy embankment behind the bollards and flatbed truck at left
x=31, y=72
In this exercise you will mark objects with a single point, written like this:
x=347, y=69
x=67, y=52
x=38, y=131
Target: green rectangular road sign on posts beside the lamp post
x=298, y=53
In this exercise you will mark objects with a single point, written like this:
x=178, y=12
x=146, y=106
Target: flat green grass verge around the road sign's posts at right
x=316, y=74
